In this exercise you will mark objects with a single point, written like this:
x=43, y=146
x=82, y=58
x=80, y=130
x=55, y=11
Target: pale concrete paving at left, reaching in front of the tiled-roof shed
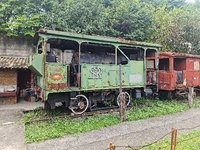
x=11, y=126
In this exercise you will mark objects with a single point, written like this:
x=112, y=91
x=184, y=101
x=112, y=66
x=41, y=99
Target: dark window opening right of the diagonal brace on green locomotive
x=133, y=53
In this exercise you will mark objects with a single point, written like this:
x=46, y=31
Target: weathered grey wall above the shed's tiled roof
x=15, y=46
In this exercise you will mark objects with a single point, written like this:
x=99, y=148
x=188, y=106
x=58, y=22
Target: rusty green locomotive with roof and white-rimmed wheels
x=83, y=72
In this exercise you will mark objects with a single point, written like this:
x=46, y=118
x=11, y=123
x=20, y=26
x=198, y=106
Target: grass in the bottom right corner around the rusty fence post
x=189, y=141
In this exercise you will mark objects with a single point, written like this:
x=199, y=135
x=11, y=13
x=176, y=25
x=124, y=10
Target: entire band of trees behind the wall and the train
x=173, y=23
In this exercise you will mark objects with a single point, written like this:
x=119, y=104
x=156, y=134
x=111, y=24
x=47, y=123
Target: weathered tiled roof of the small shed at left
x=13, y=62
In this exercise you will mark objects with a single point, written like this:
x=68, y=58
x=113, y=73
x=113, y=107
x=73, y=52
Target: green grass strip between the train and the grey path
x=58, y=127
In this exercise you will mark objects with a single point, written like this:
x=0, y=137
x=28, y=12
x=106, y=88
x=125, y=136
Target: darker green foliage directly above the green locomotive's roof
x=102, y=18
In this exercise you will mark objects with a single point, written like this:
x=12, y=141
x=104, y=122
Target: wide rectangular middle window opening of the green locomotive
x=94, y=53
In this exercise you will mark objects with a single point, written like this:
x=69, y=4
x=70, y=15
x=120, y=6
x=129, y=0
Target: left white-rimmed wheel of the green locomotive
x=80, y=104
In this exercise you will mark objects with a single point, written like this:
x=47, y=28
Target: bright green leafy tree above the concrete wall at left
x=22, y=17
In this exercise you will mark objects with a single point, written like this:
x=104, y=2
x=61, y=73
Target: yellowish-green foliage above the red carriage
x=178, y=29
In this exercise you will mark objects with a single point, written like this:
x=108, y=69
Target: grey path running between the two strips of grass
x=129, y=133
